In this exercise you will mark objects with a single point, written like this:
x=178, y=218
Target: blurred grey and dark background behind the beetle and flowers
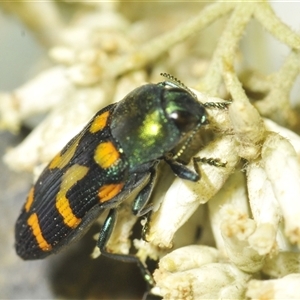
x=73, y=274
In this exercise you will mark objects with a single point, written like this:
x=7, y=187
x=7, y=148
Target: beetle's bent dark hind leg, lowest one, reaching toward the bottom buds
x=104, y=236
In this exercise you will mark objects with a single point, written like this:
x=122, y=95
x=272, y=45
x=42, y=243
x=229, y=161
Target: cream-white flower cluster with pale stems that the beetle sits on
x=248, y=212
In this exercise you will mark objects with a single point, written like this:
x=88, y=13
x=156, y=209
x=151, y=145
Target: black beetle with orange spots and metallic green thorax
x=116, y=152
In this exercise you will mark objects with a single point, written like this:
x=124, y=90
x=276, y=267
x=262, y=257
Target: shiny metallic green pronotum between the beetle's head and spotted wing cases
x=141, y=127
